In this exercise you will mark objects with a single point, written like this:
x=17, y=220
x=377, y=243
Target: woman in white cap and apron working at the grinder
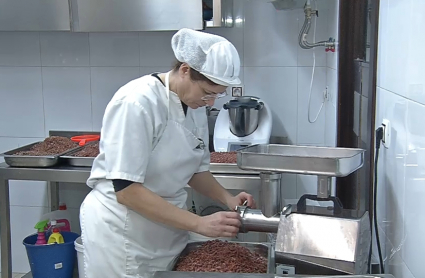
x=135, y=220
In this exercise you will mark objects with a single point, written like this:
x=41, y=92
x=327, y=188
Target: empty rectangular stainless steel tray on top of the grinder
x=307, y=160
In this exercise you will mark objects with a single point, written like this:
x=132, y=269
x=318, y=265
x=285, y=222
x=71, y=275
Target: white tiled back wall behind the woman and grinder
x=57, y=80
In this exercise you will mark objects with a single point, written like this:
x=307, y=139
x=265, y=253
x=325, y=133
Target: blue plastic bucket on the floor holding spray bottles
x=52, y=260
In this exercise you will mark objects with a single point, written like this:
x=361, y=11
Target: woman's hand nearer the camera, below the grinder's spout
x=219, y=224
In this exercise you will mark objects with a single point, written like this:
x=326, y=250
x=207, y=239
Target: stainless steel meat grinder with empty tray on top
x=331, y=236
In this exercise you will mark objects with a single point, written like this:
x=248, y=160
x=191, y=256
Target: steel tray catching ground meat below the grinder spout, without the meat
x=264, y=249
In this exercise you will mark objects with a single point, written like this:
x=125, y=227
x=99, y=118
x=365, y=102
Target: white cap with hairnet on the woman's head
x=213, y=56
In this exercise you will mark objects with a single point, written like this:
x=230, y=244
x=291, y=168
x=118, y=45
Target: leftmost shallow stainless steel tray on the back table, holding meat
x=31, y=161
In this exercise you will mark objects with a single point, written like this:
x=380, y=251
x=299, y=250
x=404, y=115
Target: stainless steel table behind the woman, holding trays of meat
x=230, y=177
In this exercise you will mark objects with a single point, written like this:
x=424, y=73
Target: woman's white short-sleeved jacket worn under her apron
x=133, y=123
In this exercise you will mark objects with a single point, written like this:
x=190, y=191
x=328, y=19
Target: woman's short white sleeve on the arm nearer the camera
x=127, y=135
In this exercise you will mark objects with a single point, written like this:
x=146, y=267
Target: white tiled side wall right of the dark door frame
x=401, y=170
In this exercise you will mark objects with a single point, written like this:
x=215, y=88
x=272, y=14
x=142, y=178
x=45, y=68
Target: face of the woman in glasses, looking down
x=197, y=94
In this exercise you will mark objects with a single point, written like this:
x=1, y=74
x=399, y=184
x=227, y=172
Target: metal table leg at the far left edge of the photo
x=6, y=246
